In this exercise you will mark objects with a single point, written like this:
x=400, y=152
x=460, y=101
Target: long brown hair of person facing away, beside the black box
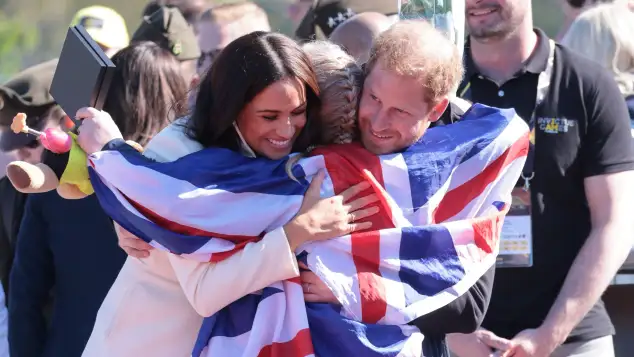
x=145, y=91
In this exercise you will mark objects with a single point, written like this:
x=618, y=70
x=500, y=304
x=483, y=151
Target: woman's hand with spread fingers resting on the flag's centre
x=327, y=218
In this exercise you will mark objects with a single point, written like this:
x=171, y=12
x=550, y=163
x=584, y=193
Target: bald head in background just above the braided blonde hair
x=357, y=34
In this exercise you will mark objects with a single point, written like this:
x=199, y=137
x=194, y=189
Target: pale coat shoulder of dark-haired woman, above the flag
x=172, y=142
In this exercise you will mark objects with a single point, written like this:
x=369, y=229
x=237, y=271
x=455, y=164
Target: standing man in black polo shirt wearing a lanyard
x=578, y=180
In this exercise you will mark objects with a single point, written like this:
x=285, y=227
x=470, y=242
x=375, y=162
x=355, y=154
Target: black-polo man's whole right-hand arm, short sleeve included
x=607, y=158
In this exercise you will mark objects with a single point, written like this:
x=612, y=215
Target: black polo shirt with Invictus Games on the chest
x=582, y=130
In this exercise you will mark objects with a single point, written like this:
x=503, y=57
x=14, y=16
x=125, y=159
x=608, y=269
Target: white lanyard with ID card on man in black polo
x=516, y=241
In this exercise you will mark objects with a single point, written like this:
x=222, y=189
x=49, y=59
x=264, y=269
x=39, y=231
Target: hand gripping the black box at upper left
x=96, y=130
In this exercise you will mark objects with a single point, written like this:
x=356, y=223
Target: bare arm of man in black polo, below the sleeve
x=611, y=201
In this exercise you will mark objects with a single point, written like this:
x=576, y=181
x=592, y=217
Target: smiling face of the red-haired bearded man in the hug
x=392, y=112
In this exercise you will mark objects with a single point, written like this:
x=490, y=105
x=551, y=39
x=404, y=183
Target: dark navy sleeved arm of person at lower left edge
x=32, y=277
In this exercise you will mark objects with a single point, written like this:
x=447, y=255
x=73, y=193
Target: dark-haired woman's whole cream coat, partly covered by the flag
x=155, y=306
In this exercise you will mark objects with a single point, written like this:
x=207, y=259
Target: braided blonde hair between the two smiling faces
x=340, y=81
